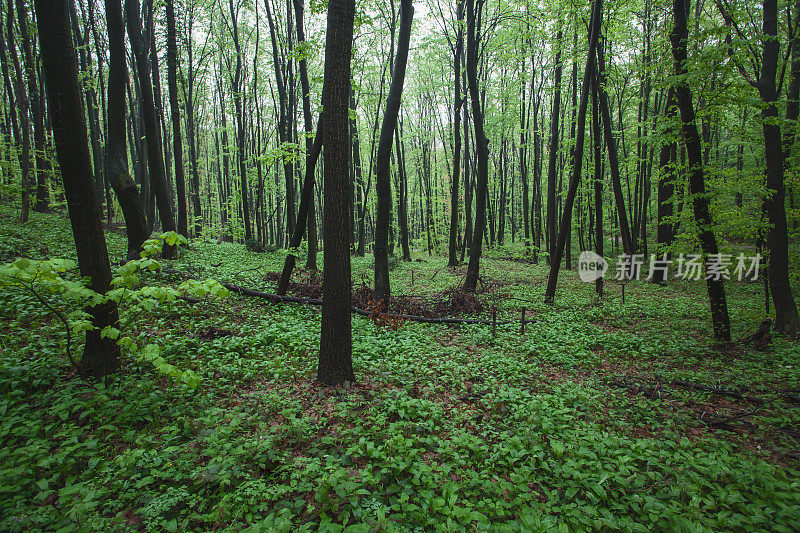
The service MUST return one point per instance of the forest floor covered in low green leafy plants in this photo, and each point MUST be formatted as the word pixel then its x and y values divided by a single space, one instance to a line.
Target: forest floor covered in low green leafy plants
pixel 602 415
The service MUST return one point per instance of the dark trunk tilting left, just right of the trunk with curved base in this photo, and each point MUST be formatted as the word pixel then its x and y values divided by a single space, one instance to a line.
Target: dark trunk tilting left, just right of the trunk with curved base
pixel 155 155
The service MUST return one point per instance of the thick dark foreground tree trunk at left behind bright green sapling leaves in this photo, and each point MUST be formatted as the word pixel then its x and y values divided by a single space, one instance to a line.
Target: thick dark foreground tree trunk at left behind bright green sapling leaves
pixel 101 355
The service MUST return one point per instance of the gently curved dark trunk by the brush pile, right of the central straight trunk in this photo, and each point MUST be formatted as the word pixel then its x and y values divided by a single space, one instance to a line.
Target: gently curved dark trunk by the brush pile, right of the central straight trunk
pixel 383 156
